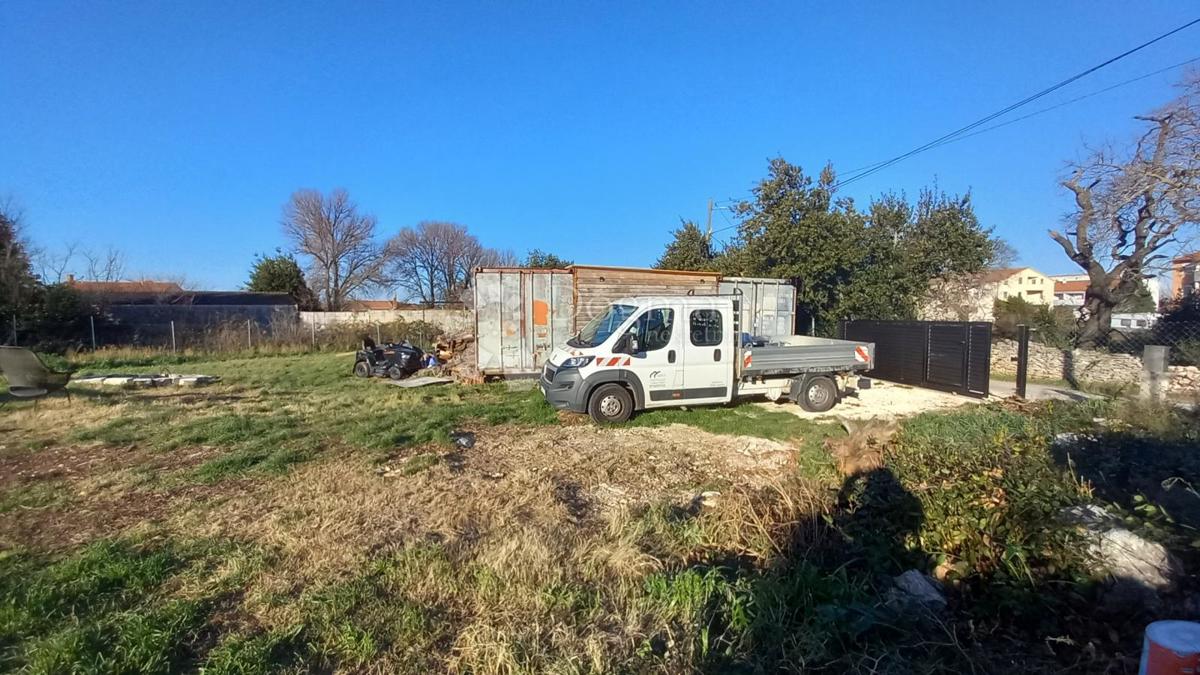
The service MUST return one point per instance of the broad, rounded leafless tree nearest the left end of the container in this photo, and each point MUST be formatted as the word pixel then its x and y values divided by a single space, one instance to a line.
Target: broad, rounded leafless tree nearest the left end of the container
pixel 434 261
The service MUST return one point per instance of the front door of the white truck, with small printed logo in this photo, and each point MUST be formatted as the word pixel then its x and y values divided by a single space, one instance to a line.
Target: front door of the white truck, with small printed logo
pixel 658 363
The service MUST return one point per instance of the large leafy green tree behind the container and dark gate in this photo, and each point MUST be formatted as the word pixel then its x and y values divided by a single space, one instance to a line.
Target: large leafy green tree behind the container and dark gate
pixel 847 264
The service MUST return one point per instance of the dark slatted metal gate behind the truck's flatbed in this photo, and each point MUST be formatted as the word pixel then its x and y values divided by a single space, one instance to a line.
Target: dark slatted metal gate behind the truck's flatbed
pixel 955 356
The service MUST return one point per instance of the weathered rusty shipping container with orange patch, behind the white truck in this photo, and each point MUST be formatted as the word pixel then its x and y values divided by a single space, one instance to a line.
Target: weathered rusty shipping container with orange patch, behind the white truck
pixel 521 315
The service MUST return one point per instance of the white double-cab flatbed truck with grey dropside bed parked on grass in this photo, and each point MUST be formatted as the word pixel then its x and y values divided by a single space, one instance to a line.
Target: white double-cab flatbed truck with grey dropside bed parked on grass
pixel 656 353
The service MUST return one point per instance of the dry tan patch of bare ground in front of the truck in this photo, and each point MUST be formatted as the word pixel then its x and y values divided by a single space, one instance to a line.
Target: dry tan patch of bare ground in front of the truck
pixel 331 517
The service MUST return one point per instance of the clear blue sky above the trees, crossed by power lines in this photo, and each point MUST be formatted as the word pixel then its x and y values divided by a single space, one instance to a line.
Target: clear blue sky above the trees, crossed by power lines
pixel 176 132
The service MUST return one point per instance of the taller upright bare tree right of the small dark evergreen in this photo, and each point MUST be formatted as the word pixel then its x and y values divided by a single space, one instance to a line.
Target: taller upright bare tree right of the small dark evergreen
pixel 344 256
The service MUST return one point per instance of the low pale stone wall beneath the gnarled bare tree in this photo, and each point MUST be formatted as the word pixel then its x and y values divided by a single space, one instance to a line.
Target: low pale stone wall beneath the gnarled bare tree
pixel 1088 366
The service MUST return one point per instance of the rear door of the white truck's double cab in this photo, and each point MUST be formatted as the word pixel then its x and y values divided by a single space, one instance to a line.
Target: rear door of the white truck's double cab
pixel 709 356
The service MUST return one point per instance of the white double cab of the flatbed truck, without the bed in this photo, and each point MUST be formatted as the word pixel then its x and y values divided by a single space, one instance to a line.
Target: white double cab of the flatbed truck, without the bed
pixel 646 353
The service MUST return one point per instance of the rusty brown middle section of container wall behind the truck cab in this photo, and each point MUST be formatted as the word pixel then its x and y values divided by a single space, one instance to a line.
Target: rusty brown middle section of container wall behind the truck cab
pixel 597 288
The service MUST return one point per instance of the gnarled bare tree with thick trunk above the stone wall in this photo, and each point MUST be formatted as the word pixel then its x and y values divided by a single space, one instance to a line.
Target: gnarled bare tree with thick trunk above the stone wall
pixel 1132 206
